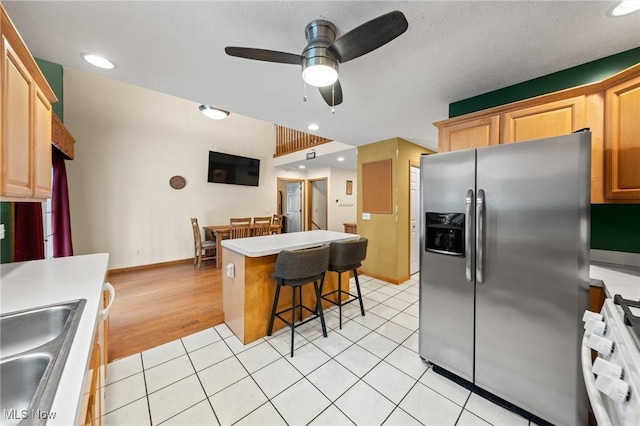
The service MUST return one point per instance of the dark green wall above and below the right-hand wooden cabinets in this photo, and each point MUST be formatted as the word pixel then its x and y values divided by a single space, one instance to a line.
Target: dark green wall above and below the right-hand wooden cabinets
pixel 614 227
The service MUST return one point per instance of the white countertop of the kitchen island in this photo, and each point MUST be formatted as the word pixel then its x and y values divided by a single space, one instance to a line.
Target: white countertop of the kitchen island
pixel 273 244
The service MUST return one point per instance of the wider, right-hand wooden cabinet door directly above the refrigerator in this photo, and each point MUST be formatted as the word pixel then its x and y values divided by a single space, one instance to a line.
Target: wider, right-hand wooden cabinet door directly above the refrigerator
pixel 544 121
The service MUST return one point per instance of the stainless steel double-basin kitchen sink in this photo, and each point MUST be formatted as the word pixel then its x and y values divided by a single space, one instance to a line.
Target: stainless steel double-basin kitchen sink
pixel 34 345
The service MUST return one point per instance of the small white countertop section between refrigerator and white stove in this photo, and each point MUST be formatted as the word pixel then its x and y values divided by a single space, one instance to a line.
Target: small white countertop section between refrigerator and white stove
pixel 617 279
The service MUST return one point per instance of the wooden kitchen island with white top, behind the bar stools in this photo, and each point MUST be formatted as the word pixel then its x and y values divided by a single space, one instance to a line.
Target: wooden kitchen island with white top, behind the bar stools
pixel 248 291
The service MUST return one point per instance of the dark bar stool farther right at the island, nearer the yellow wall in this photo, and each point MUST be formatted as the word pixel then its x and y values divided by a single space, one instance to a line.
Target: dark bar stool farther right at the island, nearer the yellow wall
pixel 346 256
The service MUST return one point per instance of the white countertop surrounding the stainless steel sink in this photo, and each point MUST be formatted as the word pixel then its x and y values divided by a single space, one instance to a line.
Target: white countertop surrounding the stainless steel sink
pixel 36 283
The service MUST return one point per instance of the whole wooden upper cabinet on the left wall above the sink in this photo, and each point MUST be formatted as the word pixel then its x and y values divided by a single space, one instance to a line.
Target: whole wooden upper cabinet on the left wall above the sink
pixel 25 136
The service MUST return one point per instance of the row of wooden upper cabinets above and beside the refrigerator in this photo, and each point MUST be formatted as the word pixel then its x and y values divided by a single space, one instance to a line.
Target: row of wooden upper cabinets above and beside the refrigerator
pixel 610 108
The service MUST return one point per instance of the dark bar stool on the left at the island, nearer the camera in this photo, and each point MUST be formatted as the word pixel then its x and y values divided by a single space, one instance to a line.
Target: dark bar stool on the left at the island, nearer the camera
pixel 295 268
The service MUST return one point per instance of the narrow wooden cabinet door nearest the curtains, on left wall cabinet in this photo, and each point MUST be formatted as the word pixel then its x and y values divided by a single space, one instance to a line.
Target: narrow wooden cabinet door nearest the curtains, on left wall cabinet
pixel 42 146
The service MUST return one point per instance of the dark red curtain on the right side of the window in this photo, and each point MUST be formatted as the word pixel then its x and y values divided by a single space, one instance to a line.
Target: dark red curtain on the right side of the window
pixel 60 215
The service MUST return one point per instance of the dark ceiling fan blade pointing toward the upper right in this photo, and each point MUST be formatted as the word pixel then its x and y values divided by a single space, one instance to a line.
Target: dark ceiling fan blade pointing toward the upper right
pixel 369 36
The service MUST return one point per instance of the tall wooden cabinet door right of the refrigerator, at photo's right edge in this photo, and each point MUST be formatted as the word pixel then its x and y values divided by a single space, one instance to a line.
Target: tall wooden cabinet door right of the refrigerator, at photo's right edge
pixel 622 141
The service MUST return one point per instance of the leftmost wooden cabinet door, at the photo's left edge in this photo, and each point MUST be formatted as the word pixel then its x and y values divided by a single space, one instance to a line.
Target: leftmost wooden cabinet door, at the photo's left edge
pixel 17 172
